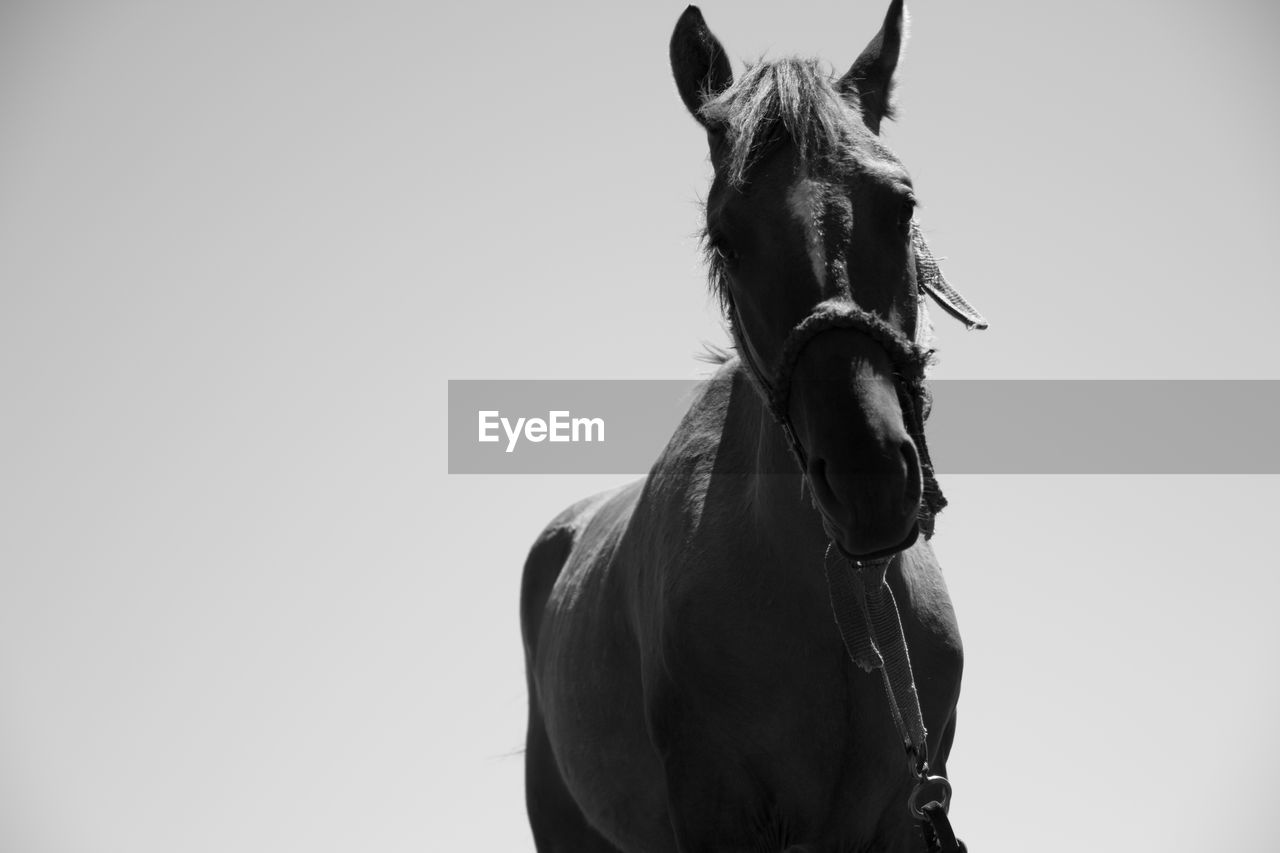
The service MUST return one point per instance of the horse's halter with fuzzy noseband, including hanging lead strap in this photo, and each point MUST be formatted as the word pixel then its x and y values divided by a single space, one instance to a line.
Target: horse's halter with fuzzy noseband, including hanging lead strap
pixel 862 600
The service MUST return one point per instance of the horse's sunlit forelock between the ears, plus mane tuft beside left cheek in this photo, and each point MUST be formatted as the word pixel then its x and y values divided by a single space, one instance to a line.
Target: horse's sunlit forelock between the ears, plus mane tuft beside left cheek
pixel 787 99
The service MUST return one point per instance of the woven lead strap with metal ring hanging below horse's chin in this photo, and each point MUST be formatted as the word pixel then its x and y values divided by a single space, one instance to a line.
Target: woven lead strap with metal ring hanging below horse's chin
pixel 870 624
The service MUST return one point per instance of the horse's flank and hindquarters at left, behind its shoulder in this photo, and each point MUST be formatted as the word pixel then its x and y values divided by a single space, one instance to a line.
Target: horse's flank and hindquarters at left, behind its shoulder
pixel 586 700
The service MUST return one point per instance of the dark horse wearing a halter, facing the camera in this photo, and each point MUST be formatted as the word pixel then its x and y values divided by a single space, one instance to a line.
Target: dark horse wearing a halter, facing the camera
pixel 688 686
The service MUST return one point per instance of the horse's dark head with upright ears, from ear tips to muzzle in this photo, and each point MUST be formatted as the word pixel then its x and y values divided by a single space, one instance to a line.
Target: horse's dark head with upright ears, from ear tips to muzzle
pixel 813 253
